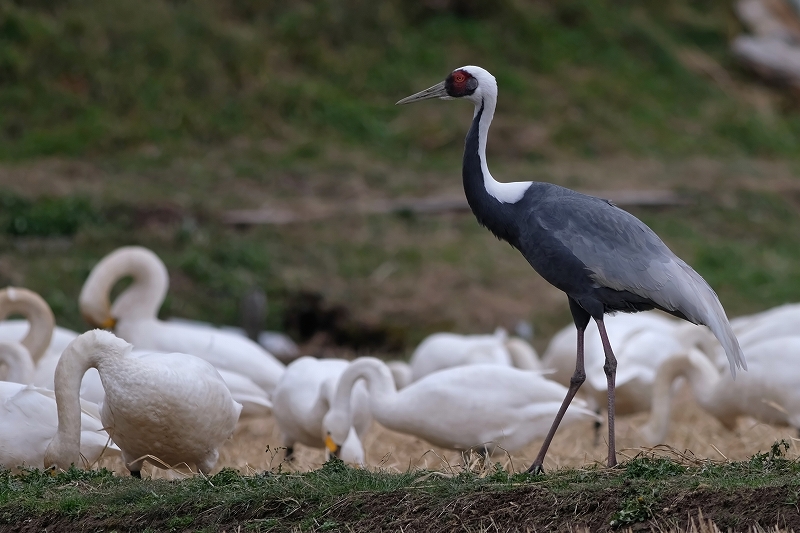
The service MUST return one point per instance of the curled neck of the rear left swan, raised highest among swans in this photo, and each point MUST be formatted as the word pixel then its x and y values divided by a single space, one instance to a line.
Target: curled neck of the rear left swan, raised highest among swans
pixel 142 299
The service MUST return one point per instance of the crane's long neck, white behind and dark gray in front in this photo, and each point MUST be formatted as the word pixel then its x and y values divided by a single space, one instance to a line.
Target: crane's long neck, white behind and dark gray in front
pixel 489 199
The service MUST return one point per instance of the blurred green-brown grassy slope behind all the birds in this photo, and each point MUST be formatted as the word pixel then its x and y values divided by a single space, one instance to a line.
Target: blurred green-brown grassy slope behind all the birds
pixel 142 121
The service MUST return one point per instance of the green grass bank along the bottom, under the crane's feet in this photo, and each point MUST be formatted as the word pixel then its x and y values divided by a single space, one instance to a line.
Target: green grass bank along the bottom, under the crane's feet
pixel 649 489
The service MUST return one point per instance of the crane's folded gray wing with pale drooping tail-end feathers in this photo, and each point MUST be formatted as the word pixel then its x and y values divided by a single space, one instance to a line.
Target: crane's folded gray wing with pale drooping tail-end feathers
pixel 622 253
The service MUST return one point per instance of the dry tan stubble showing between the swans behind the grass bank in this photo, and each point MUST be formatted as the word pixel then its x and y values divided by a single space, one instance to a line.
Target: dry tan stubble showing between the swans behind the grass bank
pixel 693 434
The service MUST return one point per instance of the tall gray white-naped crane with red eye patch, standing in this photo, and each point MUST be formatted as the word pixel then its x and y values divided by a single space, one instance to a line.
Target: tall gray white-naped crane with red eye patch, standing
pixel 604 259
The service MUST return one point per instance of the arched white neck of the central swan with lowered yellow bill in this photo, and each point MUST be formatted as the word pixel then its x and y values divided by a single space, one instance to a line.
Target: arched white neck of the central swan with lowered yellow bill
pixel 380 383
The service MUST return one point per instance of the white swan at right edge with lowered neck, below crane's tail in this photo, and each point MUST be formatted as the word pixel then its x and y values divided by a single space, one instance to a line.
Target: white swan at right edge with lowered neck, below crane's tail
pixel 769 391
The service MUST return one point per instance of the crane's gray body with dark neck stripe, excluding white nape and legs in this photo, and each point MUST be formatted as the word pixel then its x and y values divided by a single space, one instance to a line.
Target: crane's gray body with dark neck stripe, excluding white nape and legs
pixel 602 257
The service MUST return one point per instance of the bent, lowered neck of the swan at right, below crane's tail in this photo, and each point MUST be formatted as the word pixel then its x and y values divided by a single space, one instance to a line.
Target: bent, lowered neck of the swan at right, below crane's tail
pixel 702 377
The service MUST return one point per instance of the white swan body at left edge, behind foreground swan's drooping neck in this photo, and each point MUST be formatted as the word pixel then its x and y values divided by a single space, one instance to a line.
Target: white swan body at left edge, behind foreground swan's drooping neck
pixel 28 422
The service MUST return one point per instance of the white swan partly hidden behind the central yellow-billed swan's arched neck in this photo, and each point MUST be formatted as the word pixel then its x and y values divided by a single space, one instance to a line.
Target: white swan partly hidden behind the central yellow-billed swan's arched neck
pixel 303 397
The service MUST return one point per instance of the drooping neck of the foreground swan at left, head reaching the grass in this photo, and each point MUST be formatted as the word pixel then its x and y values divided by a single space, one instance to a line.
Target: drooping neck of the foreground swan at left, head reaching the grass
pixel 64 449
